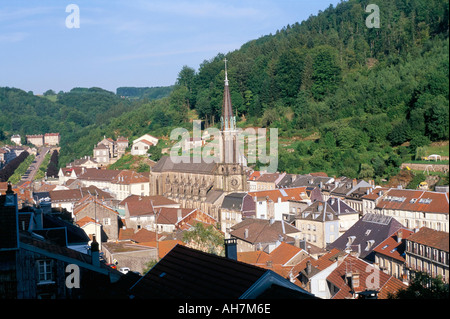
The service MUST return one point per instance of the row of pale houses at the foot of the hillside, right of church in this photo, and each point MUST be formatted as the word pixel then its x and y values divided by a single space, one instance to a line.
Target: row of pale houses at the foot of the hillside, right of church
pixel 413 208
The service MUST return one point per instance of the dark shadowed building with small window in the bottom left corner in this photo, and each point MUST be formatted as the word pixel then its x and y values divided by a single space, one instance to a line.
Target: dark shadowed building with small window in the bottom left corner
pixel 34 259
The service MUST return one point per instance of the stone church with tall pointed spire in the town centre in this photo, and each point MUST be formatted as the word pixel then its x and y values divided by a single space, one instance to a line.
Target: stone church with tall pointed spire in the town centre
pixel 203 185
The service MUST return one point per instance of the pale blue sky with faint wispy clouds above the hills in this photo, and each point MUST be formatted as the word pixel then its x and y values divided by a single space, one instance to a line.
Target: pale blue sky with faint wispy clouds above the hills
pixel 139 43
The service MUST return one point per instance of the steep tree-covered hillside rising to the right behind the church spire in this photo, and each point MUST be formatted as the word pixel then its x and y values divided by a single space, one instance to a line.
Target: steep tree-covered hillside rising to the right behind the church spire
pixel 363 91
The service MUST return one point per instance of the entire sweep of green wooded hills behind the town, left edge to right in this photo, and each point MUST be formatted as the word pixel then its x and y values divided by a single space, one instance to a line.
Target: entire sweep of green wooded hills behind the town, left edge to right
pixel 347 99
